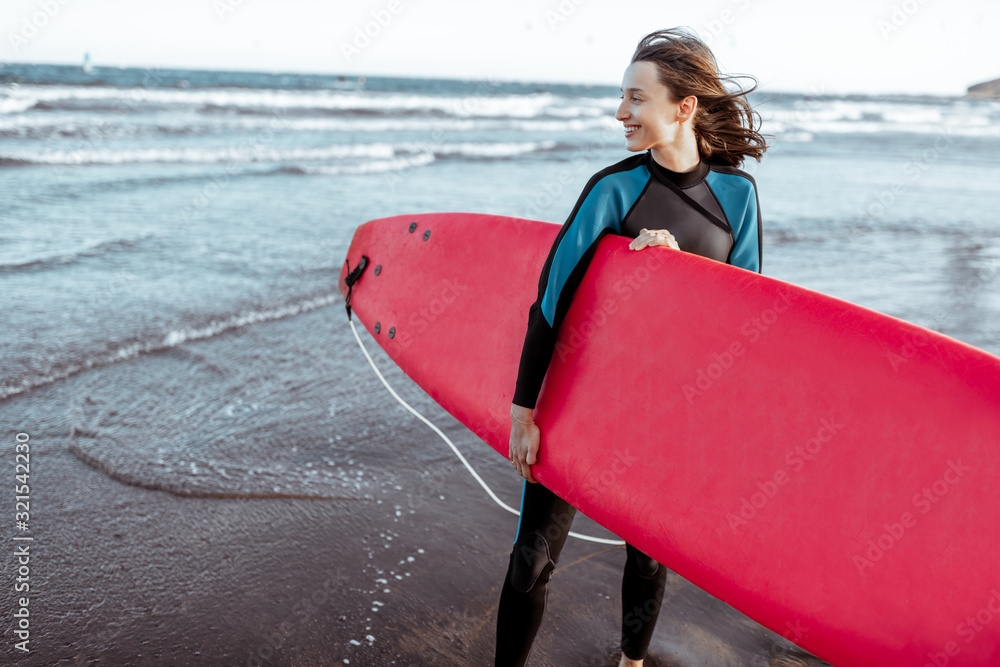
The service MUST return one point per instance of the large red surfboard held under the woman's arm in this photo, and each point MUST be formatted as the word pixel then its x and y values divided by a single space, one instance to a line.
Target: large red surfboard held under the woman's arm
pixel 828 470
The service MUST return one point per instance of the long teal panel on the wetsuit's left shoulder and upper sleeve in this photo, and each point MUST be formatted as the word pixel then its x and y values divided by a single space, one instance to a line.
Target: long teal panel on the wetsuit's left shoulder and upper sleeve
pixel 604 208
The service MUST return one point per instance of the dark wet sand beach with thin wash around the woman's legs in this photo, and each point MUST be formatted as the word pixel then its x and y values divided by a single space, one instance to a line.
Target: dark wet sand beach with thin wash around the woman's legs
pixel 402 567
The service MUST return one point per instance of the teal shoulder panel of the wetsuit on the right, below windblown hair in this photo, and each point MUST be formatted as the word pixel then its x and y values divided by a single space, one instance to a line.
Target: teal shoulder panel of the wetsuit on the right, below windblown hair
pixel 737 194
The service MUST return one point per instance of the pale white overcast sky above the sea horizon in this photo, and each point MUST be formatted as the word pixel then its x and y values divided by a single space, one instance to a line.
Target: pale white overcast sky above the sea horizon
pixel 870 46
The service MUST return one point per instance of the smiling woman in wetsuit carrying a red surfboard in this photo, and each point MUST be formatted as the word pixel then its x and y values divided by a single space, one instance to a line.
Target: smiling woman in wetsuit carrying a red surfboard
pixel 684 192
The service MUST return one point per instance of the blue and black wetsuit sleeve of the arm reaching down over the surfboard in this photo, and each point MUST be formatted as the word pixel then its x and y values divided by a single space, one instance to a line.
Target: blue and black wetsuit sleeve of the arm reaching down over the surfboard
pixel 597 212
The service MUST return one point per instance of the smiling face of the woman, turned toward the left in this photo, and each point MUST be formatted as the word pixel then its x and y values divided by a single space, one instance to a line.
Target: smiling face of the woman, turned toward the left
pixel 651 120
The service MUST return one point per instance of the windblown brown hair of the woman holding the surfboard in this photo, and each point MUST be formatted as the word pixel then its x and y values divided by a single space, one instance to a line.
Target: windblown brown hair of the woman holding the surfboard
pixel 724 121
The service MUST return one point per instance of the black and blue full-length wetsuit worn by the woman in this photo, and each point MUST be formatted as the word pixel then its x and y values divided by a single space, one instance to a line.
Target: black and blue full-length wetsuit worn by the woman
pixel 712 211
